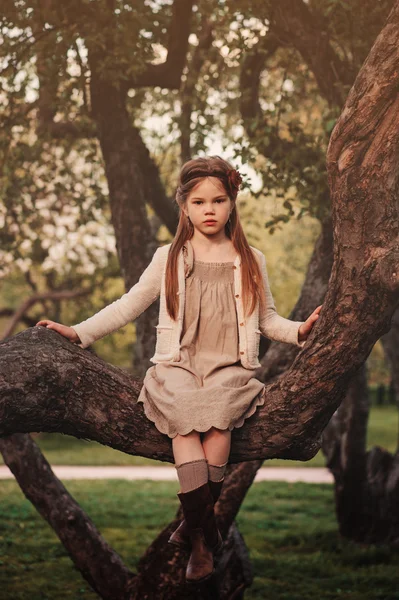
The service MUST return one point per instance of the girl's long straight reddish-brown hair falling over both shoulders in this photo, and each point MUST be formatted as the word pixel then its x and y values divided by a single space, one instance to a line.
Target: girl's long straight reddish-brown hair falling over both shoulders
pixel 192 172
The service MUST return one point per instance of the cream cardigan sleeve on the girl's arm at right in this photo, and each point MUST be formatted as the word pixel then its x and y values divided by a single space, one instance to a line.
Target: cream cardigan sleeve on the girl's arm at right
pixel 271 324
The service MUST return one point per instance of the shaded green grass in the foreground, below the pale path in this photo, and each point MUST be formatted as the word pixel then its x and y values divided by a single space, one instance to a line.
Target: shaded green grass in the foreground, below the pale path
pixel 290 529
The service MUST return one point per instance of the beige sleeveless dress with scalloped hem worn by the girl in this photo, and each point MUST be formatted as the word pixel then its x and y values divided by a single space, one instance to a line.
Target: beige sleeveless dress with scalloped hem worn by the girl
pixel 208 386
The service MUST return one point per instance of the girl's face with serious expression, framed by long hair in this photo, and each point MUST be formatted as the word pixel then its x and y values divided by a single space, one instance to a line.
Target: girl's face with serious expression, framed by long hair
pixel 208 201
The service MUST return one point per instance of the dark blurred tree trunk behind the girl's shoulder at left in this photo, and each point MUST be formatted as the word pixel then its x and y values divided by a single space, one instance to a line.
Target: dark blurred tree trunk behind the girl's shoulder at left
pixel 134 241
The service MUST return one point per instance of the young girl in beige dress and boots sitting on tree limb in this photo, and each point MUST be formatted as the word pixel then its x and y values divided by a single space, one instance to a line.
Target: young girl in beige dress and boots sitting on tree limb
pixel 215 301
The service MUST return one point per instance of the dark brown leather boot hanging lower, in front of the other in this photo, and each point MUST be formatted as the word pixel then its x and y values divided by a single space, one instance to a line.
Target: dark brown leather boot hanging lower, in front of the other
pixel 204 534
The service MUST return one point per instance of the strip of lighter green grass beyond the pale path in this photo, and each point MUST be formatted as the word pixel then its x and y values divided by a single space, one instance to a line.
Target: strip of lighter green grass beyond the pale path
pixel 60 449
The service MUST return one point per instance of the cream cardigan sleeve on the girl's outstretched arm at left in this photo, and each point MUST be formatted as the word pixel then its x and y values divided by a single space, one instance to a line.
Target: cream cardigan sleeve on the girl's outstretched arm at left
pixel 127 308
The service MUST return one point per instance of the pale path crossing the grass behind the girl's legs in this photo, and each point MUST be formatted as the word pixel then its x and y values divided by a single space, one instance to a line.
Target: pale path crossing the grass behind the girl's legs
pixel 306 474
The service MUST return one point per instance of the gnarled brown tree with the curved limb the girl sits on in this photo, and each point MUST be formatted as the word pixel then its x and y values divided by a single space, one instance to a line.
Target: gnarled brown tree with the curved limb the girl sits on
pixel 303 399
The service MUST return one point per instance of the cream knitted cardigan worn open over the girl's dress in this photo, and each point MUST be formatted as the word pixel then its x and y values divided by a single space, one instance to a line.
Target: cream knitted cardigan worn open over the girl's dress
pixel 151 285
